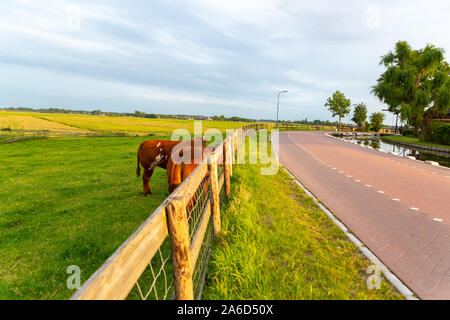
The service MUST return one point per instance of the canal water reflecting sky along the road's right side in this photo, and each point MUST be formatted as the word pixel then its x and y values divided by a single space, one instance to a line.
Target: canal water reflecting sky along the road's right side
pixel 377 143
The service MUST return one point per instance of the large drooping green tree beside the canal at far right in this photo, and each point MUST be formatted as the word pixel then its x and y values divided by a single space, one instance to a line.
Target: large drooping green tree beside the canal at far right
pixel 415 85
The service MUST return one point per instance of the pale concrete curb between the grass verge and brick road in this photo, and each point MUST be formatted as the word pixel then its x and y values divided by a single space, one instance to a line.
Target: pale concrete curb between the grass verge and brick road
pixel 390 276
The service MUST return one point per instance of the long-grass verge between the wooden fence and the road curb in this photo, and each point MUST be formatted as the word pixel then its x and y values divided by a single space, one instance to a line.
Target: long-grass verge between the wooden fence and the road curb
pixel 277 244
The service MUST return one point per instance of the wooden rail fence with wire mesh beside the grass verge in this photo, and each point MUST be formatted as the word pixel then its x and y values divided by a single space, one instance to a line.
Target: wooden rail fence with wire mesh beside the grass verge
pixel 172 246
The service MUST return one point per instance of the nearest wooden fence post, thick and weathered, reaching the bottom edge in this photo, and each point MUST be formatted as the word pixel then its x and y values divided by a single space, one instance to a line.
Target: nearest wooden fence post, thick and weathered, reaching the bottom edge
pixel 181 253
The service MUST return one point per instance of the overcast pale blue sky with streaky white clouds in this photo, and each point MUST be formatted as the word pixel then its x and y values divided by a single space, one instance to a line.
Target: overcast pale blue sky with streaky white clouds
pixel 208 57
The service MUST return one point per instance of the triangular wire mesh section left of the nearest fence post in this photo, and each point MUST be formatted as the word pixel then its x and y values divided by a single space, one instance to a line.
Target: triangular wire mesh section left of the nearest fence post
pixel 156 282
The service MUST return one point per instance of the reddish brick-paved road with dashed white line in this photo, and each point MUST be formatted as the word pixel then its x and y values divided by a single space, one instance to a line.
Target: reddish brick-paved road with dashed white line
pixel 399 208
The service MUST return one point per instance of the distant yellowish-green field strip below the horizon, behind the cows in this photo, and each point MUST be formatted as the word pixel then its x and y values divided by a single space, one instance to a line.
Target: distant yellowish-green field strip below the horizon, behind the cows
pixel 103 124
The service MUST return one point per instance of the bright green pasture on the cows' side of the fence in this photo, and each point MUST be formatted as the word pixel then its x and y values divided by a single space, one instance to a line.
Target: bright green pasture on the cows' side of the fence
pixel 67 202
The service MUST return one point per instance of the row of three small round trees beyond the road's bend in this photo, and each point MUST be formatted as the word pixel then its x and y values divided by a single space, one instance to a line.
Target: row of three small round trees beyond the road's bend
pixel 340 106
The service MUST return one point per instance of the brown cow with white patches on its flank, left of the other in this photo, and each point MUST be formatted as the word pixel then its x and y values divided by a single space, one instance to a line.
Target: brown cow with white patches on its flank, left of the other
pixel 152 154
